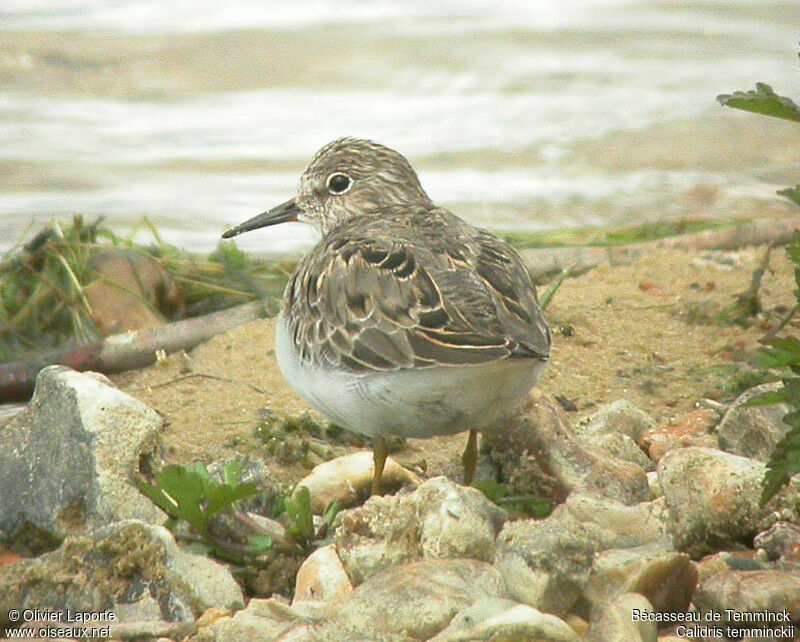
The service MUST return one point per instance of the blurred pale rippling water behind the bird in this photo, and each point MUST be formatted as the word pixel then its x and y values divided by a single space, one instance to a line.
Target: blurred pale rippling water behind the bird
pixel 526 115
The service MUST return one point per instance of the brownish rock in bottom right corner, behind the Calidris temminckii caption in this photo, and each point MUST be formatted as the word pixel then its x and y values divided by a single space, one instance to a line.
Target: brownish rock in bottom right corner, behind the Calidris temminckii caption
pixel 745 592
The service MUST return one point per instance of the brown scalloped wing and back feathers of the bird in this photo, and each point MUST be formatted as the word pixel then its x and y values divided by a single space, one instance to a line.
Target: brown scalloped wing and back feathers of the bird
pixel 373 302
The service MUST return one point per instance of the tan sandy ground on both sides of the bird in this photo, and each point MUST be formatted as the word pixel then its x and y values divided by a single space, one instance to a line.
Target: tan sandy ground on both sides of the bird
pixel 637 332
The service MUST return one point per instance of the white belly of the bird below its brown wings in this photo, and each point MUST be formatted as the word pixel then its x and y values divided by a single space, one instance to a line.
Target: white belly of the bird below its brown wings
pixel 410 403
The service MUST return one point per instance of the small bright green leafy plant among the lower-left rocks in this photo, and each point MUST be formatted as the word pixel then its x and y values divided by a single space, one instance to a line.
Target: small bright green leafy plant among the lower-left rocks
pixel 190 494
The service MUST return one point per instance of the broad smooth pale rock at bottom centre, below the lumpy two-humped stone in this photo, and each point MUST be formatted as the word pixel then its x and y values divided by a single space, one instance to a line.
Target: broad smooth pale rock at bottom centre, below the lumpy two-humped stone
pixel 413 601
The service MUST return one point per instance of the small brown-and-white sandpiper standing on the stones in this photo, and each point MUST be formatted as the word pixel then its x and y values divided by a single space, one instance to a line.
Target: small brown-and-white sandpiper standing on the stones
pixel 403 319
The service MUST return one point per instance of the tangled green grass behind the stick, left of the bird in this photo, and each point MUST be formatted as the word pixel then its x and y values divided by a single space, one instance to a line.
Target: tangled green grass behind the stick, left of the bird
pixel 43 281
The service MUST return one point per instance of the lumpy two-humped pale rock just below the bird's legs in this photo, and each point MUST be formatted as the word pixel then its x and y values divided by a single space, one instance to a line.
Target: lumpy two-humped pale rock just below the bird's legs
pixel 438 520
